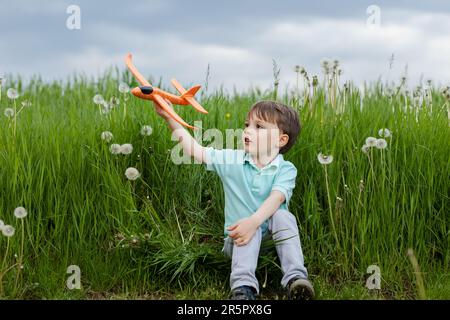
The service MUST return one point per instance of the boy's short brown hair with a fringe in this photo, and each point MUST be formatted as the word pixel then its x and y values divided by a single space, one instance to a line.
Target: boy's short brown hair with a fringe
pixel 286 118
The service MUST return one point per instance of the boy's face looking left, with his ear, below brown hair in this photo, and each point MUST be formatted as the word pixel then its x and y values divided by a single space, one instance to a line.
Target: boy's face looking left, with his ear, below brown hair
pixel 262 138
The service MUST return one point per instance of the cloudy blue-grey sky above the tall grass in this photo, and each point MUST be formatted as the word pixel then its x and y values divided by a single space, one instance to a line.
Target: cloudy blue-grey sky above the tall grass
pixel 237 39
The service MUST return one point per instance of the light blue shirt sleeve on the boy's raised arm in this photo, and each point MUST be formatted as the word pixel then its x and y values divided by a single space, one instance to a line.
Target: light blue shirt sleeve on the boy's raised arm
pixel 221 160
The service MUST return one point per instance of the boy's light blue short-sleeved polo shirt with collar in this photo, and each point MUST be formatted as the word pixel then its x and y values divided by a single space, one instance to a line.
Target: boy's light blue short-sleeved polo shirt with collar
pixel 245 185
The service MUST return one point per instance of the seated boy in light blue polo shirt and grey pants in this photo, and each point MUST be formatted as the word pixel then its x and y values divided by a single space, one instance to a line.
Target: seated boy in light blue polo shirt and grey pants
pixel 258 185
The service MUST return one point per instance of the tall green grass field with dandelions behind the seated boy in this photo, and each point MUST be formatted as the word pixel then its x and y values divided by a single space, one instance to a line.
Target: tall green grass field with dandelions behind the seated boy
pixel 160 236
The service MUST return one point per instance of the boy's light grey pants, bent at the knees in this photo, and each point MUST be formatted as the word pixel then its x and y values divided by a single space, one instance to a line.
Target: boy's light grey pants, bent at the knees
pixel 283 228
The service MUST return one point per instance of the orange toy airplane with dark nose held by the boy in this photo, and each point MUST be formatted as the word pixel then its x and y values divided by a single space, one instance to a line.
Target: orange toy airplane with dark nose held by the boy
pixel 148 92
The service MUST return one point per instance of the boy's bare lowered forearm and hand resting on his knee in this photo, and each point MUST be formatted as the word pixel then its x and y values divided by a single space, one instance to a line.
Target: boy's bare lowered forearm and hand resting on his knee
pixel 243 231
